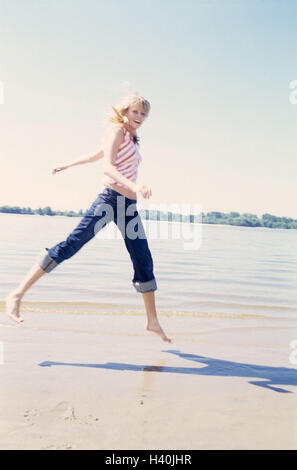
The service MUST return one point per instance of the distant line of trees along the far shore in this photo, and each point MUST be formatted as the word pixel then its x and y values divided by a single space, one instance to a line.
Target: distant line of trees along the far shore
pixel 232 218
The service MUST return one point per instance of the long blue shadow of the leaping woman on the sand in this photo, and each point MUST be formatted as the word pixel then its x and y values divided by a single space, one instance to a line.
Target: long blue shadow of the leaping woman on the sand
pixel 214 367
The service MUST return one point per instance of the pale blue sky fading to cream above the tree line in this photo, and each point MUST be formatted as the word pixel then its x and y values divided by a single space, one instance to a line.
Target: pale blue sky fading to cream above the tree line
pixel 222 129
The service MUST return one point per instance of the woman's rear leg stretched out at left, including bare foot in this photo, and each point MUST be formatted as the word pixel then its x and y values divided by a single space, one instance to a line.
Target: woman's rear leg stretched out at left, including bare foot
pixel 50 258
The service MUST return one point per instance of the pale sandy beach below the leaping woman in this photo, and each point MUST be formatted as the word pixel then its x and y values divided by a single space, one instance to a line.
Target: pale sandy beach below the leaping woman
pixel 100 381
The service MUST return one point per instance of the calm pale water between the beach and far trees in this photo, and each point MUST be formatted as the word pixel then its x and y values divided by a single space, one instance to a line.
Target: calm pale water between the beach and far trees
pixel 237 271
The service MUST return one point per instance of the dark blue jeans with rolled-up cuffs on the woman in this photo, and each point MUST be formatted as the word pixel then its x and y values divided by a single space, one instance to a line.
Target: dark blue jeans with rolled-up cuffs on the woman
pixel 108 206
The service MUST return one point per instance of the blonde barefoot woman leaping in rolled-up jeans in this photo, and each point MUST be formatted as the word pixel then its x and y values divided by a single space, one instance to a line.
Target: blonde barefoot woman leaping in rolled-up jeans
pixel 116 202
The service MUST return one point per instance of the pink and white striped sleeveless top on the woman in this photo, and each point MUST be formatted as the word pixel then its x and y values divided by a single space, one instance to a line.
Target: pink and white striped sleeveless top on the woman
pixel 127 160
